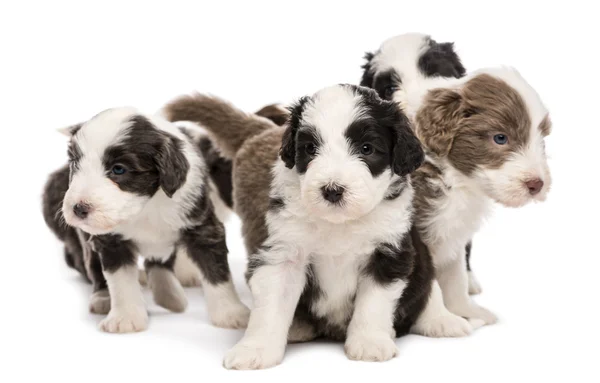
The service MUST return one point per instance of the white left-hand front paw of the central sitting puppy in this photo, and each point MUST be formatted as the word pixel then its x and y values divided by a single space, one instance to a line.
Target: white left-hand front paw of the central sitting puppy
pixel 252 356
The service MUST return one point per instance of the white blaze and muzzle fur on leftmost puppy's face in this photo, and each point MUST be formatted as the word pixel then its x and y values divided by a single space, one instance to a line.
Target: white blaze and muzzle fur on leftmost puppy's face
pixel 108 205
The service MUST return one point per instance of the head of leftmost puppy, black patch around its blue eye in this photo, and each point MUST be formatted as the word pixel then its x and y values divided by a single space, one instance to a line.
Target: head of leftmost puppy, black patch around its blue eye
pixel 118 161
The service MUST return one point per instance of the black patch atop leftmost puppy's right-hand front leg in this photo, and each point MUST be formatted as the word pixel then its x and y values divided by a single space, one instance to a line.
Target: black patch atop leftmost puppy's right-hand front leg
pixel 206 246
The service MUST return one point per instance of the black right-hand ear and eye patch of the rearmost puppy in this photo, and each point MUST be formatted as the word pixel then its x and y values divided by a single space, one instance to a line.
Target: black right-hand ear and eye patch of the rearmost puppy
pixel 441 60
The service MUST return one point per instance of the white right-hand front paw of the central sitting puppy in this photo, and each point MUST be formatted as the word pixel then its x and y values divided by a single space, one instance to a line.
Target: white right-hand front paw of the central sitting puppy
pixel 370 347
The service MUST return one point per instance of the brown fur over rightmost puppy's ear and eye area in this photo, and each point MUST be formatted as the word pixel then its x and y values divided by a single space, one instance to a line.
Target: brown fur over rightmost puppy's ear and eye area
pixel 461 123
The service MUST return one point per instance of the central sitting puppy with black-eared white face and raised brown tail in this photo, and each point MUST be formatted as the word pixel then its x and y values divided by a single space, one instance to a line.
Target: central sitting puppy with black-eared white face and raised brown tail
pixel 326 206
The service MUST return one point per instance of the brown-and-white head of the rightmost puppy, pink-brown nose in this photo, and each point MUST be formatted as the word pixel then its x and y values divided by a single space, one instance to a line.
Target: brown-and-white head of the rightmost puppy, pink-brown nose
pixel 491 128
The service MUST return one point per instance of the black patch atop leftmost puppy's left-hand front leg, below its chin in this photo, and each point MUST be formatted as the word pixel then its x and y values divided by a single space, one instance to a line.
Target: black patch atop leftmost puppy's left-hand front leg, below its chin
pixel 115 252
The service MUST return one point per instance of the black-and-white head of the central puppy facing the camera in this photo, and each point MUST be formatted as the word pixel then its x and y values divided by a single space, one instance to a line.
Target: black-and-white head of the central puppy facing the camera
pixel 348 146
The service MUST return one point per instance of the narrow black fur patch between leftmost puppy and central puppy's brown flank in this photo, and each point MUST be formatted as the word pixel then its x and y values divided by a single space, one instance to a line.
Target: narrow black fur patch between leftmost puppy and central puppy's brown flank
pixel 220 170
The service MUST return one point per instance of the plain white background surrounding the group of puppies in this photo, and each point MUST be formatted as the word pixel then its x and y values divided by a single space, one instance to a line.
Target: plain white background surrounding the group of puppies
pixel 62 63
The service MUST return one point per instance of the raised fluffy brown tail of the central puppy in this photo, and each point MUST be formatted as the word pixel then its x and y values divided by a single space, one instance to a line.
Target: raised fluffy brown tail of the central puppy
pixel 229 126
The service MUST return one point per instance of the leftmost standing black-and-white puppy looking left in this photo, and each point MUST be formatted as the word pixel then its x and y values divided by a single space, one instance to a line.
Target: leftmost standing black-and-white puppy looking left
pixel 137 186
